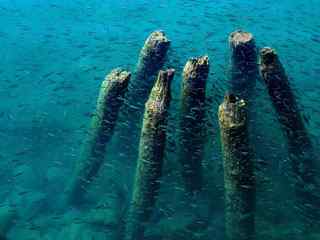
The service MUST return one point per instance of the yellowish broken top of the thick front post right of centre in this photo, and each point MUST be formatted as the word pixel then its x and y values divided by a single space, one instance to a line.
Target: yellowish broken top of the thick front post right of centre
pixel 232 112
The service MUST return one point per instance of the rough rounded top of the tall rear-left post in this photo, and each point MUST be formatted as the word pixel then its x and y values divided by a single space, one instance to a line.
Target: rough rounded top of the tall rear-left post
pixel 156 44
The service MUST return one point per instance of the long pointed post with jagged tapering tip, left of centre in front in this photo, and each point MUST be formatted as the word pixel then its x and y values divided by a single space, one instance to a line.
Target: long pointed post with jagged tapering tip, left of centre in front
pixel 150 160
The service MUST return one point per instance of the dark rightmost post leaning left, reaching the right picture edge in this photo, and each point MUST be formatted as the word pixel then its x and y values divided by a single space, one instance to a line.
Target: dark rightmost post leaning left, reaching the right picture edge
pixel 301 152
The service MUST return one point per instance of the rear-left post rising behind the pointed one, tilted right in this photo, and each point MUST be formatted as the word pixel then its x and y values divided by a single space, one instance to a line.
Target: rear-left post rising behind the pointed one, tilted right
pixel 151 59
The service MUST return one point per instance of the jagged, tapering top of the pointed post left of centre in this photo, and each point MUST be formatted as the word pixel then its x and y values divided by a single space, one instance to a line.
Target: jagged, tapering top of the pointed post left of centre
pixel 160 94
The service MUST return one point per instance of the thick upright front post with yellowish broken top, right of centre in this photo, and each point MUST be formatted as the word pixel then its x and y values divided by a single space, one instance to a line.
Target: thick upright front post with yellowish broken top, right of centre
pixel 239 178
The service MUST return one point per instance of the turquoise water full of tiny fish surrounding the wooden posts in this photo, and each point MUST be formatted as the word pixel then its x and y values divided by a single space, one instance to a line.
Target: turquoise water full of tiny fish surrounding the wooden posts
pixel 55 55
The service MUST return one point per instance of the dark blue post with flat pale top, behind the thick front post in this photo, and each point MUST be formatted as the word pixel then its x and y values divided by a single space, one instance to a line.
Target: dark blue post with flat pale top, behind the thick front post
pixel 244 66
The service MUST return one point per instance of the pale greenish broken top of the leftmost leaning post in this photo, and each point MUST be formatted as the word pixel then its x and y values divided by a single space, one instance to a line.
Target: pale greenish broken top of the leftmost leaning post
pixel 117 77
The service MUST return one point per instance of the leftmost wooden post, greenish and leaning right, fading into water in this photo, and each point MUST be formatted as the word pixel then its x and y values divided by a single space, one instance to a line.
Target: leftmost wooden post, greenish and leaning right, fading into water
pixel 110 99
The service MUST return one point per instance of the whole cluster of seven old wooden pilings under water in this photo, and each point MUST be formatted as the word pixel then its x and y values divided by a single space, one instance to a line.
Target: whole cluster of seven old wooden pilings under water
pixel 149 92
